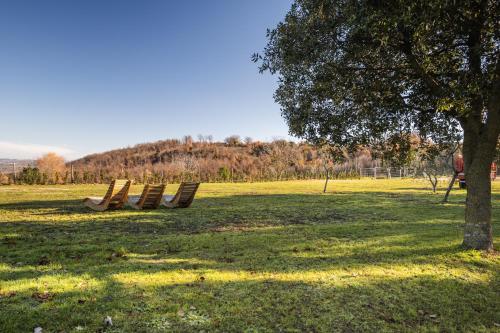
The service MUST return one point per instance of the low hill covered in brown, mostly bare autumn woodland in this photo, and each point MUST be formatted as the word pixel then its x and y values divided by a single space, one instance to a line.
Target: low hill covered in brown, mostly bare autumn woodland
pixel 233 160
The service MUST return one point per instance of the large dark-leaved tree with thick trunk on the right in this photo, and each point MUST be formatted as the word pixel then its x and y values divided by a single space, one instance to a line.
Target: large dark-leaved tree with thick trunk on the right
pixel 365 72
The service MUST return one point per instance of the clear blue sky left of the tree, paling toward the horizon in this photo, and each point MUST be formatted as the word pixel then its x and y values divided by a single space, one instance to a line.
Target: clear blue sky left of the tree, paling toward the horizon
pixel 87 76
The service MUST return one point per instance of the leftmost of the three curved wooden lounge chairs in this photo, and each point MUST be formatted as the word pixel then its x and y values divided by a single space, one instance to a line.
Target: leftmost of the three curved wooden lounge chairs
pixel 115 197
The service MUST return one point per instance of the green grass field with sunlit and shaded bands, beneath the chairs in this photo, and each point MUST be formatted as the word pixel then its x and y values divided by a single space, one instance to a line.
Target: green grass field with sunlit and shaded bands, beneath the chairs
pixel 368 256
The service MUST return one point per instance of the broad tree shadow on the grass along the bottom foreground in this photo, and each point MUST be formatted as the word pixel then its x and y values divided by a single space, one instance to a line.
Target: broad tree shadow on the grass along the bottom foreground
pixel 423 303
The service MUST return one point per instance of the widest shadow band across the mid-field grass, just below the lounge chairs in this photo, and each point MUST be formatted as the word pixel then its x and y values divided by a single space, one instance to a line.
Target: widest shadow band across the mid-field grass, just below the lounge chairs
pixel 386 230
